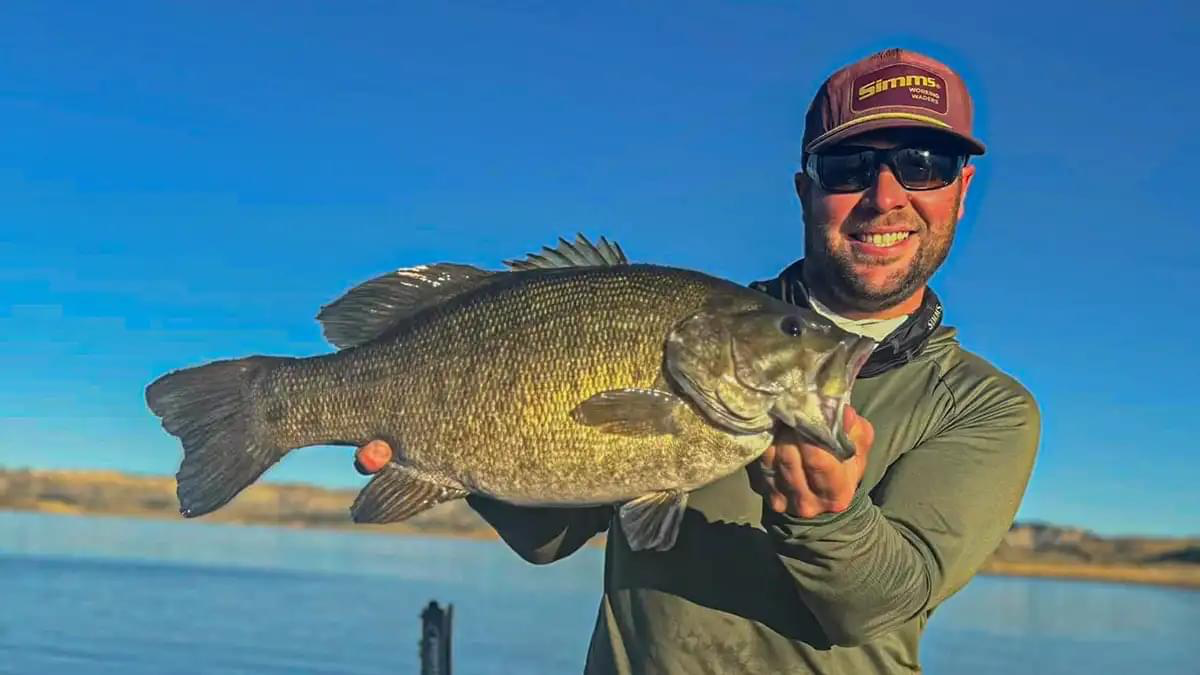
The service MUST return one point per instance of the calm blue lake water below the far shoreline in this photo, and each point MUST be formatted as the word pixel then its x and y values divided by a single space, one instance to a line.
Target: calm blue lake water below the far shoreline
pixel 107 595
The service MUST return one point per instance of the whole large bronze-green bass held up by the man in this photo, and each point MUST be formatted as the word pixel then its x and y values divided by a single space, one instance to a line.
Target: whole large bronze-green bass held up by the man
pixel 573 379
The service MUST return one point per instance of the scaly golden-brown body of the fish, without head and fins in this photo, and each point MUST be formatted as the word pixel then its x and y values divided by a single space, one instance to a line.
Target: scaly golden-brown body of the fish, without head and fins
pixel 508 365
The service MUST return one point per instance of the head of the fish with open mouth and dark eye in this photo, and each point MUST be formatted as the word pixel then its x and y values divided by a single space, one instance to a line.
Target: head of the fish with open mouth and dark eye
pixel 754 367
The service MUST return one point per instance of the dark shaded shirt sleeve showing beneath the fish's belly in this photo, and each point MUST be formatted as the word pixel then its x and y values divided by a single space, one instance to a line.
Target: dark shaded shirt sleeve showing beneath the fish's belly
pixel 542 535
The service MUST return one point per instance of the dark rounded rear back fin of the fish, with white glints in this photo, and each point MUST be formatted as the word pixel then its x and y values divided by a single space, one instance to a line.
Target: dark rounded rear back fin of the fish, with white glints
pixel 374 308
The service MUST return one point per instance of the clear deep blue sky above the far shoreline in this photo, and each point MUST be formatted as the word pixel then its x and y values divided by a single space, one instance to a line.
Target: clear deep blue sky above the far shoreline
pixel 189 182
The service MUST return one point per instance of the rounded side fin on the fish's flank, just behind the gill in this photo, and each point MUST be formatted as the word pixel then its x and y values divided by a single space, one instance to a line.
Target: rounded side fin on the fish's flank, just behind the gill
pixel 631 413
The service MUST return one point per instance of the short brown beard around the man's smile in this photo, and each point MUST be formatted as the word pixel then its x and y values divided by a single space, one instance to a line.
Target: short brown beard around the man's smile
pixel 833 274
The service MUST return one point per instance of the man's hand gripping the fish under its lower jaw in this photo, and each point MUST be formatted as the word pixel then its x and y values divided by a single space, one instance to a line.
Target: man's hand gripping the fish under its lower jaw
pixel 807 481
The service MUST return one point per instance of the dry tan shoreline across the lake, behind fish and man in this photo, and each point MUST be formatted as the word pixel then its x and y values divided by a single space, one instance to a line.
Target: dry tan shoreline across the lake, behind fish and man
pixel 1029 552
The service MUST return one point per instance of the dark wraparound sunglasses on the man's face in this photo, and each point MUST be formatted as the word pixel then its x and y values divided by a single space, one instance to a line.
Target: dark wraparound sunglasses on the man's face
pixel 916 169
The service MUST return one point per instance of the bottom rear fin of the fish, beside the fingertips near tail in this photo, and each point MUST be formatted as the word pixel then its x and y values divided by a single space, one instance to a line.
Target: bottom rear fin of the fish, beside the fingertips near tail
pixel 398 493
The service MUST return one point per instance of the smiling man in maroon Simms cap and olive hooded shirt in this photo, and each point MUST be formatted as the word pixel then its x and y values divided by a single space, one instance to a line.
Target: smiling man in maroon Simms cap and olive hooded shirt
pixel 803 564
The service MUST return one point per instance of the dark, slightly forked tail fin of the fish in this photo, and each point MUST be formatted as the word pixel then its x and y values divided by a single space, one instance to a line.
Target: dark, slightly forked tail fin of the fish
pixel 208 409
